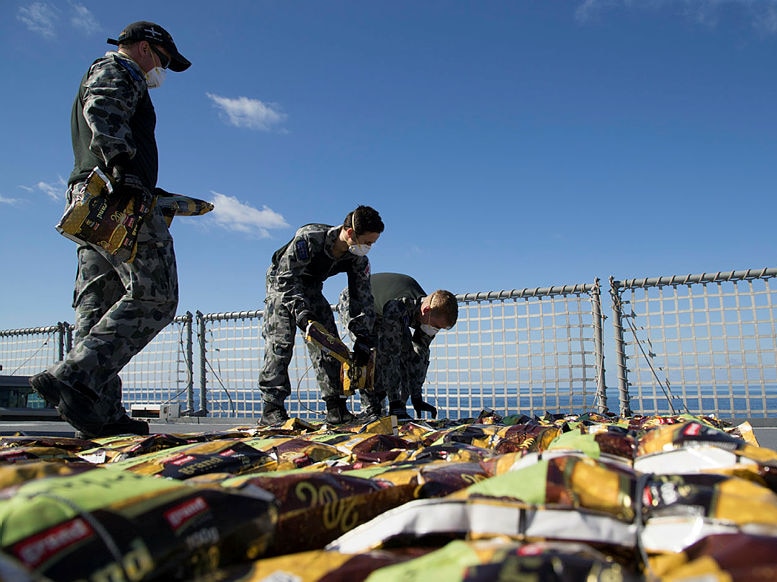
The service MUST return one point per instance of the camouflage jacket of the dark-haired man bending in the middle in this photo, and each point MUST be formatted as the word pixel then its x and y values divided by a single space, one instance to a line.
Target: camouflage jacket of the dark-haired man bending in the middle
pixel 305 262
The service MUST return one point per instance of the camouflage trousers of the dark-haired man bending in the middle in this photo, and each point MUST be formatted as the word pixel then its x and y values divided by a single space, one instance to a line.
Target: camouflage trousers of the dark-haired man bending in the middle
pixel 278 331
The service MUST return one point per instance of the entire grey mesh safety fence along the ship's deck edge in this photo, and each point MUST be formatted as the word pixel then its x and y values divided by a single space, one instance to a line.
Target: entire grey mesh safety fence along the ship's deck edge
pixel 698 343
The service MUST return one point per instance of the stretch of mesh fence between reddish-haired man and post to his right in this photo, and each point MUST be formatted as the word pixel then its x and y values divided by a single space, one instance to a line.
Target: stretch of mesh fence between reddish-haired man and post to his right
pixel 530 352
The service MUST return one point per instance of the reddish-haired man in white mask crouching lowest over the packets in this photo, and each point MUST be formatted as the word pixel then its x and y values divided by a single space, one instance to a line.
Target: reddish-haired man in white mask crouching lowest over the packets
pixel 407 321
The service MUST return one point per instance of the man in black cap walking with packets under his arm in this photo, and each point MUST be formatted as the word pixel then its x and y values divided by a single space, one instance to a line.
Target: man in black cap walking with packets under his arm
pixel 119 307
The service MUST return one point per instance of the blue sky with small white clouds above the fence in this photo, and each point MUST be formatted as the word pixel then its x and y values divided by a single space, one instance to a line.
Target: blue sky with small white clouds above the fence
pixel 507 144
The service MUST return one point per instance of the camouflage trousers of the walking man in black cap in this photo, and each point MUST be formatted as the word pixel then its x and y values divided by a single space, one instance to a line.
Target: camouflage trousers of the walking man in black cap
pixel 119 308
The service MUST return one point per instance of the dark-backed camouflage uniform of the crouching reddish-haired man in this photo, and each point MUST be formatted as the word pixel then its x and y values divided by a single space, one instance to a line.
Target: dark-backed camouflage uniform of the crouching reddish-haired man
pixel 402 358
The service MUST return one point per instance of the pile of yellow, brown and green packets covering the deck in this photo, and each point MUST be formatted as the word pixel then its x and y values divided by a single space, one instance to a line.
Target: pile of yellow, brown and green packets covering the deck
pixel 562 497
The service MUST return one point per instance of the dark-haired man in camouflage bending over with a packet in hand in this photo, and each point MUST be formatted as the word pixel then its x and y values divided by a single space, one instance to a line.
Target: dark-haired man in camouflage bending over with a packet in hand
pixel 295 281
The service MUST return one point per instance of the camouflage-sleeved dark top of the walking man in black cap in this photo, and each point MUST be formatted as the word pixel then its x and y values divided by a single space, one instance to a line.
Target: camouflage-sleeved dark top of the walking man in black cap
pixel 113 114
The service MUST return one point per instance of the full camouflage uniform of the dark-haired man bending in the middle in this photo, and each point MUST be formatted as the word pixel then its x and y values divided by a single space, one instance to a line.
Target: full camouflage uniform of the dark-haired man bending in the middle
pixel 295 282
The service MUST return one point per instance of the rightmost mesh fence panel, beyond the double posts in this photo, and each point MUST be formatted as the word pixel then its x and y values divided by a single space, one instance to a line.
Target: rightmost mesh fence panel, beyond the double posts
pixel 699 343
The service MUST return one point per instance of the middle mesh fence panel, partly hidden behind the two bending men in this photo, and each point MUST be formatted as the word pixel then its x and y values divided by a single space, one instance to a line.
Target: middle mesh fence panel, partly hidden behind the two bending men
pixel 525 351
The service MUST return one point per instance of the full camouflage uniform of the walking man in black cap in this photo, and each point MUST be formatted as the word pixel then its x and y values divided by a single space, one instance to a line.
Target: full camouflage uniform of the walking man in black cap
pixel 119 307
